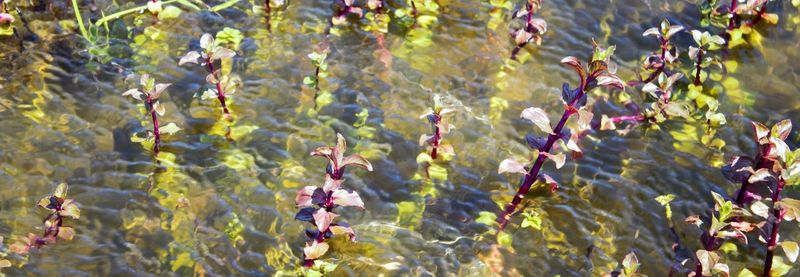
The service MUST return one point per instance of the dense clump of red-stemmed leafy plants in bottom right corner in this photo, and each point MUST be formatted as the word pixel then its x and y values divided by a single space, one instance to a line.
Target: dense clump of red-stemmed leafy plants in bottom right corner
pixel 763 179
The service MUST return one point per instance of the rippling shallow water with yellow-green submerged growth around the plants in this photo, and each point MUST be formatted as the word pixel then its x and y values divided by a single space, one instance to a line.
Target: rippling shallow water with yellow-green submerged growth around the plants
pixel 67 122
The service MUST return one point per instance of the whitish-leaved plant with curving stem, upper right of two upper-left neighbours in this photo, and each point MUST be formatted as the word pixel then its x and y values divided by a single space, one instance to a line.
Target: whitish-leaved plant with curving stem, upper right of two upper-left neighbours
pixel 225 84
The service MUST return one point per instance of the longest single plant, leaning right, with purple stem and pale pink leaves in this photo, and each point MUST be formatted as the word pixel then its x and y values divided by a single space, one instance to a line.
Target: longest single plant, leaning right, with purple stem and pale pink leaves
pixel 598 73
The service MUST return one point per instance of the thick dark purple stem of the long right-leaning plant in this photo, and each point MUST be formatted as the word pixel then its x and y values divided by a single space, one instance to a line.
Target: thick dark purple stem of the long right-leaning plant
pixel 533 173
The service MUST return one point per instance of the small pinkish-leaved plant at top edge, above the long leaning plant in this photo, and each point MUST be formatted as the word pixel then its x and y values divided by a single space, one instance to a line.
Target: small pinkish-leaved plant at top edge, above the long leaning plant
pixel 533 28
